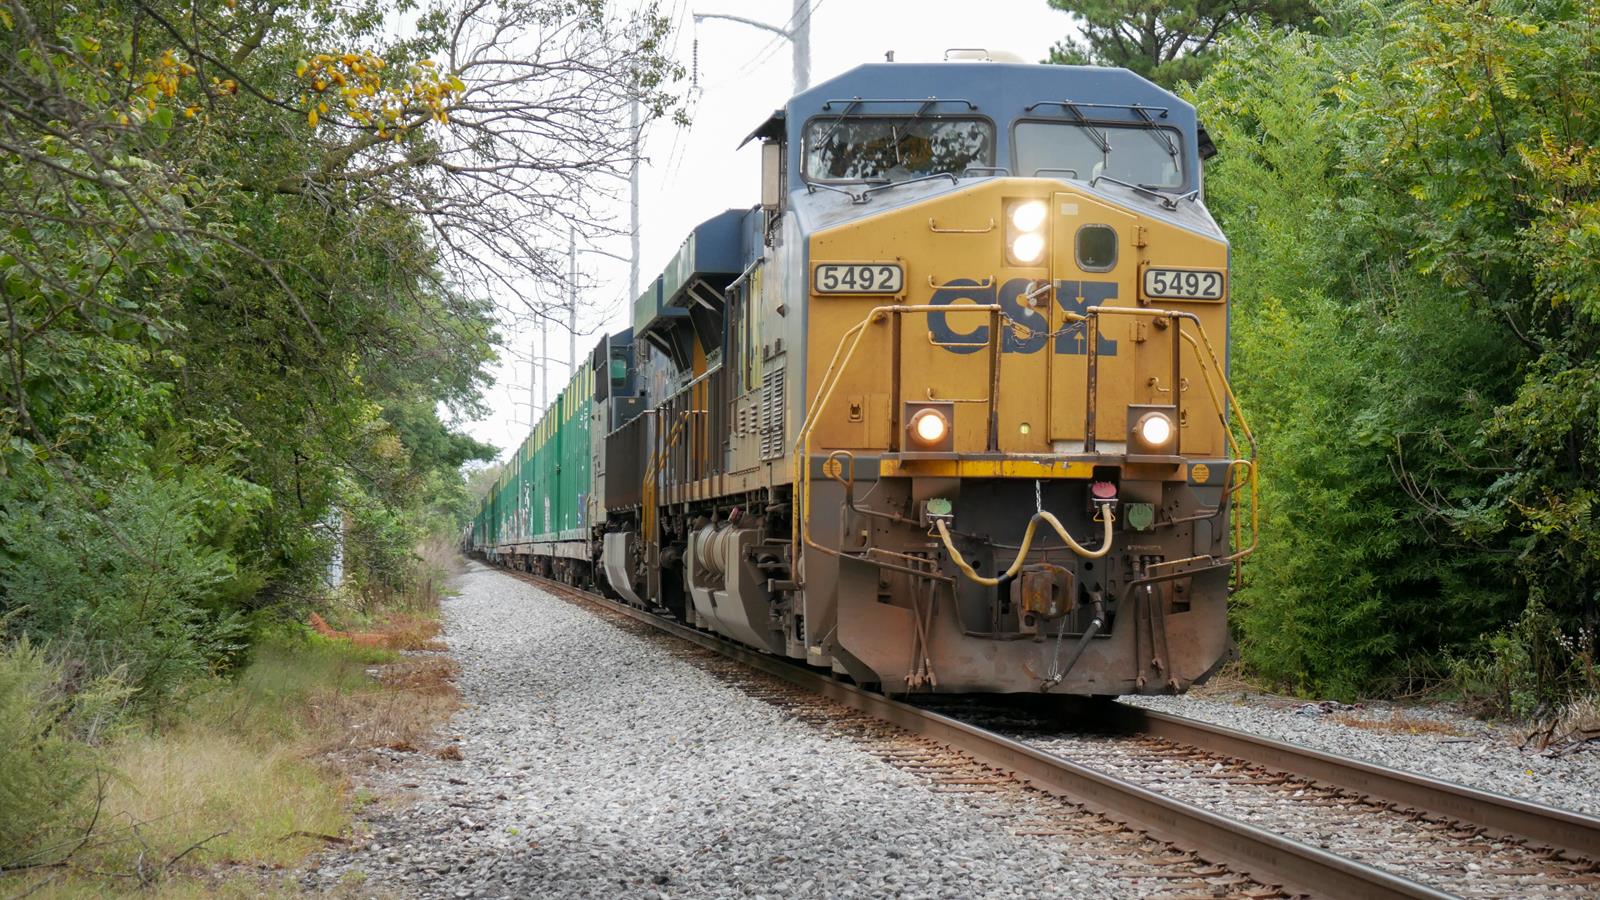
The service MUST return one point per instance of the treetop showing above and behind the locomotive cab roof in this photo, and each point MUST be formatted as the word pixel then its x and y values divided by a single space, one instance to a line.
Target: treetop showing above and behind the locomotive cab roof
pixel 1166 42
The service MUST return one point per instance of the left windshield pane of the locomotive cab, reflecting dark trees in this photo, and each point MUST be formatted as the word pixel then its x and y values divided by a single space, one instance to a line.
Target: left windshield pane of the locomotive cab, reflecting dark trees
pixel 895 150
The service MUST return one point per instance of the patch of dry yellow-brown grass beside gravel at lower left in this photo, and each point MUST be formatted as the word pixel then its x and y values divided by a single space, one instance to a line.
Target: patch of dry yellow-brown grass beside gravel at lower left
pixel 258 771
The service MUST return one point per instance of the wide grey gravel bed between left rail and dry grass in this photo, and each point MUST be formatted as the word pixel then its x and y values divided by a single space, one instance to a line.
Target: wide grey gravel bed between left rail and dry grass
pixel 594 763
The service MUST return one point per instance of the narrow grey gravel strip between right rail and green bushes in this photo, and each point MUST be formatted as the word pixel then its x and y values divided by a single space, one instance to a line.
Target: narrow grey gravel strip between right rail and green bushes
pixel 1428 741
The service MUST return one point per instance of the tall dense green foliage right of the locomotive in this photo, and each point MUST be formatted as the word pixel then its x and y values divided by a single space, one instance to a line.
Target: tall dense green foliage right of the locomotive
pixel 1417 334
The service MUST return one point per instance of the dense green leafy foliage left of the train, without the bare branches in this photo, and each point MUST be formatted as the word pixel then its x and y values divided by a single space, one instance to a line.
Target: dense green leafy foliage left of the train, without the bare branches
pixel 223 327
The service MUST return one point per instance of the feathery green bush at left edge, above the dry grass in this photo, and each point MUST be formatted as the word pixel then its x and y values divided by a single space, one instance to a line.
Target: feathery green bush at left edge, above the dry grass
pixel 124 582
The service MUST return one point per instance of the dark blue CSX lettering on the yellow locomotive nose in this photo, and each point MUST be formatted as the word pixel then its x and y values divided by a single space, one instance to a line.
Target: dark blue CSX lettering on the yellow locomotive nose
pixel 1073 297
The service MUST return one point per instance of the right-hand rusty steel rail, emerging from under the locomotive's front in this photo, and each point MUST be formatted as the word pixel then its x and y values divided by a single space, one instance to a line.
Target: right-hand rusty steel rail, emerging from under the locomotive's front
pixel 1551 827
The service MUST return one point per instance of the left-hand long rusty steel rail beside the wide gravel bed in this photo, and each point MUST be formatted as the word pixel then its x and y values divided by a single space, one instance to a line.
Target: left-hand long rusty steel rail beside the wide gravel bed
pixel 1263 856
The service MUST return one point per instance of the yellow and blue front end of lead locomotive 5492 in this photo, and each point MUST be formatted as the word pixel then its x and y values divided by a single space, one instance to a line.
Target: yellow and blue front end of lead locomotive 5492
pixel 1017 457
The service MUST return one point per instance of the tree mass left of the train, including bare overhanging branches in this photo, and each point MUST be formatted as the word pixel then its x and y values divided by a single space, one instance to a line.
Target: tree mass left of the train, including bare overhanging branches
pixel 252 262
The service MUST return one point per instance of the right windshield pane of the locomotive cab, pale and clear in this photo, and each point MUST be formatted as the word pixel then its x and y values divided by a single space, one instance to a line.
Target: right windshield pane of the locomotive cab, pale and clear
pixel 1138 156
